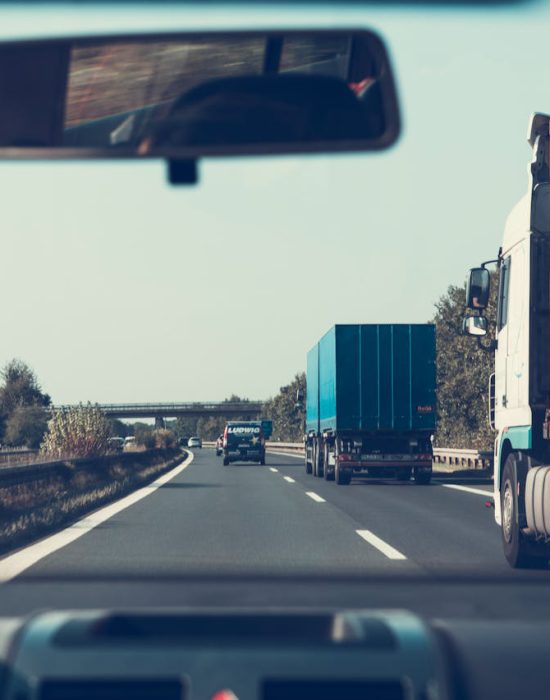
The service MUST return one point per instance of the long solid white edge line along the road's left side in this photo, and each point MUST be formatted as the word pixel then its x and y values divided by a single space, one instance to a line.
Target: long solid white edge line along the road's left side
pixel 14 564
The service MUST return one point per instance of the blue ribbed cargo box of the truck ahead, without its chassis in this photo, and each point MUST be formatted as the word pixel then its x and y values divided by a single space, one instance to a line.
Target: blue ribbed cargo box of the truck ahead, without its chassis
pixel 373 378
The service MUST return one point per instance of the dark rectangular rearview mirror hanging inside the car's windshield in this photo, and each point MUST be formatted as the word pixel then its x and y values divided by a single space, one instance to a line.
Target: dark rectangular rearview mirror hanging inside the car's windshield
pixel 184 96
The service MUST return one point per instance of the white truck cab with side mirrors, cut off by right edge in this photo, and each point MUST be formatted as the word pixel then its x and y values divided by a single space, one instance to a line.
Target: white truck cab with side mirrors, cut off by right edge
pixel 520 387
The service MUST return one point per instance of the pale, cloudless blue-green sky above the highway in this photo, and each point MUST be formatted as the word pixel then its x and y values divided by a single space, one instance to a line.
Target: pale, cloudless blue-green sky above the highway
pixel 117 287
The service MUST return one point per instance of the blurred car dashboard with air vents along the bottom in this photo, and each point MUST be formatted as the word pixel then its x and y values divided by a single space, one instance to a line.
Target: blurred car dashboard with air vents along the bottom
pixel 281 654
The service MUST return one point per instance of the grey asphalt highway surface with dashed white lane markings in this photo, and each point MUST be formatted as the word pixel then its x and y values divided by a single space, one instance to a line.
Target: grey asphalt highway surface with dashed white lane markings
pixel 245 519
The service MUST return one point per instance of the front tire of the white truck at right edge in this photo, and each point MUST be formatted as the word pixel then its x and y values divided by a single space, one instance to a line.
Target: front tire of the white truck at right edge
pixel 520 552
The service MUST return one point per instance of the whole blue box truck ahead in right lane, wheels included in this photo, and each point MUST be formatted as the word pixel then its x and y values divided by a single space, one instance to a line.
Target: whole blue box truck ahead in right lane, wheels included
pixel 371 402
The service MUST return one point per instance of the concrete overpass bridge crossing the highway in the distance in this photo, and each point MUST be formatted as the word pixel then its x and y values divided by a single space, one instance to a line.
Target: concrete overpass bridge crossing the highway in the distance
pixel 250 410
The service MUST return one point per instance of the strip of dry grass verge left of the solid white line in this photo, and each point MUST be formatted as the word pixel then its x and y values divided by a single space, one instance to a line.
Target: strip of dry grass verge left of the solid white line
pixel 31 510
